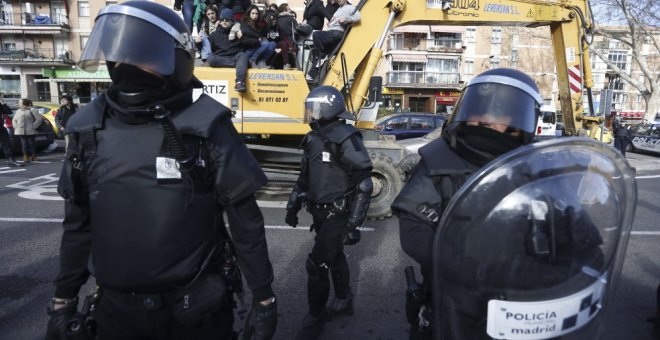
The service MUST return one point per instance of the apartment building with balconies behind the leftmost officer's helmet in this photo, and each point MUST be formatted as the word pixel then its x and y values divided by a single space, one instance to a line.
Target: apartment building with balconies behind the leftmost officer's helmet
pixel 40 43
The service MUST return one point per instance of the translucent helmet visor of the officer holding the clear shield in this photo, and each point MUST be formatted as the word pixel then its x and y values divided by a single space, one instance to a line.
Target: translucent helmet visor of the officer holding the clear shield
pixel 497 104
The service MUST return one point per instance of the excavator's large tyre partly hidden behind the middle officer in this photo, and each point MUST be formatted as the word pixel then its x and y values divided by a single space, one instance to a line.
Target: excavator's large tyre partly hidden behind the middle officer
pixel 387 178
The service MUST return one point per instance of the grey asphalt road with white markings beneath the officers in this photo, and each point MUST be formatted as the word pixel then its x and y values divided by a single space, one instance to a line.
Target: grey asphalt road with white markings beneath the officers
pixel 30 228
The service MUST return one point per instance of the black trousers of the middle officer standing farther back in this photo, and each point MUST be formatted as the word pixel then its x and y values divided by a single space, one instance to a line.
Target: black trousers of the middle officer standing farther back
pixel 328 252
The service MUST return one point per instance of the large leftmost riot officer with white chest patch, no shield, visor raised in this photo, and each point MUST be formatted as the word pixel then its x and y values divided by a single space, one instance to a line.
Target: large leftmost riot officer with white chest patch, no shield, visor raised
pixel 147 178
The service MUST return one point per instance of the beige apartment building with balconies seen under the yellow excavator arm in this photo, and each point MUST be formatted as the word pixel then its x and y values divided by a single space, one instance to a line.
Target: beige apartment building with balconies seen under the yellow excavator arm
pixel 426 66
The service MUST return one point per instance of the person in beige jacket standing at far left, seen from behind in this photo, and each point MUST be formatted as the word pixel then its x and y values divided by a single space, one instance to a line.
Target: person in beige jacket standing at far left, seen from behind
pixel 25 122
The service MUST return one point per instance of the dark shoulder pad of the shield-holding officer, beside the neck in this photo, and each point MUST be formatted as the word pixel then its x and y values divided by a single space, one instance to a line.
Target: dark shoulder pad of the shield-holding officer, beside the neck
pixel 440 159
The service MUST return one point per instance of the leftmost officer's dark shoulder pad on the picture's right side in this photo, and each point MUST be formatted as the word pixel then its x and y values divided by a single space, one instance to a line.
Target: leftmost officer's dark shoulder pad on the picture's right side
pixel 200 118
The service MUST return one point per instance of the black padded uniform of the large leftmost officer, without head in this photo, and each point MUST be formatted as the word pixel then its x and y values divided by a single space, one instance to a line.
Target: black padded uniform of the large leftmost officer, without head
pixel 144 233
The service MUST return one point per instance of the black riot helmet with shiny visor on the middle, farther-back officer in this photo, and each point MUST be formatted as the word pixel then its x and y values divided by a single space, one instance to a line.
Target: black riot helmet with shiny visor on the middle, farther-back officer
pixel 326 103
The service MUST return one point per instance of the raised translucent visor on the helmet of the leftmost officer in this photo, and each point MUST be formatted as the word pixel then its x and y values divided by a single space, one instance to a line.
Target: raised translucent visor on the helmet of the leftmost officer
pixel 126 39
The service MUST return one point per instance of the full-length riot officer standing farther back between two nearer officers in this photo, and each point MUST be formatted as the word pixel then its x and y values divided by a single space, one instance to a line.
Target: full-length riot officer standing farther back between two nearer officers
pixel 335 184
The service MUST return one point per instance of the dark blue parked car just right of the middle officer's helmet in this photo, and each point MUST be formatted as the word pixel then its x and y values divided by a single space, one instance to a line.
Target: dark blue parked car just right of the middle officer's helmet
pixel 409 125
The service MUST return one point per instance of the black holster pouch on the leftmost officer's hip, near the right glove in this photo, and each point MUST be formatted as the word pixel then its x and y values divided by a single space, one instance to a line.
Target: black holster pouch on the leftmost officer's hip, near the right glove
pixel 205 296
